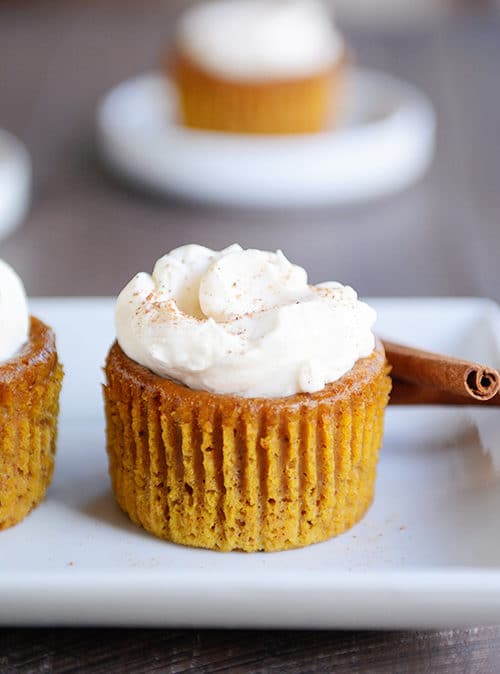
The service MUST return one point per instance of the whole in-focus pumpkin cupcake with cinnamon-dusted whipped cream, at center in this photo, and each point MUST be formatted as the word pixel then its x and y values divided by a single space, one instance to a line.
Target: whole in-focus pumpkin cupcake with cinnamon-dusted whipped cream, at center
pixel 244 407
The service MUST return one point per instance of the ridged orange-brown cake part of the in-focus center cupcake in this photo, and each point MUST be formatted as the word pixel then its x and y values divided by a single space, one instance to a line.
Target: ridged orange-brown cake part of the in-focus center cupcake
pixel 232 473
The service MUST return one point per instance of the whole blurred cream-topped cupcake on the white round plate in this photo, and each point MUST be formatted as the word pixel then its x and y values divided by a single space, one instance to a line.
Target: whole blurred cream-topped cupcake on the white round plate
pixel 258 66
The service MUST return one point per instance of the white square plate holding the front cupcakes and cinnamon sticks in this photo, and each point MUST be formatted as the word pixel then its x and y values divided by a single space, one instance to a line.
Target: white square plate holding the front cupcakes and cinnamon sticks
pixel 426 555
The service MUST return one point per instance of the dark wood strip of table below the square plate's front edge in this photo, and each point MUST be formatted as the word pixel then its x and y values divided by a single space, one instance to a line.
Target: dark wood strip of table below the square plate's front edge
pixel 474 651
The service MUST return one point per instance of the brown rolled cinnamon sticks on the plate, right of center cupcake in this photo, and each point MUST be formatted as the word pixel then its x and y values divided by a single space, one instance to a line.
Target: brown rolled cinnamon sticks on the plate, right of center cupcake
pixel 424 377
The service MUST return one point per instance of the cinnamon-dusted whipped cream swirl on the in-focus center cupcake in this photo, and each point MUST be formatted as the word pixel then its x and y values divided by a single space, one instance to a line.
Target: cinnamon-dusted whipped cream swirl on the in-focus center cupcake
pixel 241 322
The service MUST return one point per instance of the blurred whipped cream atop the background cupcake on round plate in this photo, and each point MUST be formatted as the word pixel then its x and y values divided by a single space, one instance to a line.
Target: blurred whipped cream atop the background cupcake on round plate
pixel 260 39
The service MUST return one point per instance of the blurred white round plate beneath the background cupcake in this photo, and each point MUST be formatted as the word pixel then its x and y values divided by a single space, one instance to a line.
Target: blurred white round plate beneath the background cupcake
pixel 384 143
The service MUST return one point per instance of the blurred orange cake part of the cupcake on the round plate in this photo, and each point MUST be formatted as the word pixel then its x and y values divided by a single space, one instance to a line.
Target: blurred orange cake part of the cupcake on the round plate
pixel 304 105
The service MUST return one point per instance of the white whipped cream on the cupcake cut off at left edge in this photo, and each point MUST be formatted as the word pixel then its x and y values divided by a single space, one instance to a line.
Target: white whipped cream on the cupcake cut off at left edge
pixel 14 315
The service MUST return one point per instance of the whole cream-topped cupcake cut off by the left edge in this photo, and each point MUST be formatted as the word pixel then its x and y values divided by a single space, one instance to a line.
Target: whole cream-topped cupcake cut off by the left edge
pixel 30 383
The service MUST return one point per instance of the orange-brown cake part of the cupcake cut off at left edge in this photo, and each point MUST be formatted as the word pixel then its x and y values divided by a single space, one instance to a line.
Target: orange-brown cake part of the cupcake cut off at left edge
pixel 29 404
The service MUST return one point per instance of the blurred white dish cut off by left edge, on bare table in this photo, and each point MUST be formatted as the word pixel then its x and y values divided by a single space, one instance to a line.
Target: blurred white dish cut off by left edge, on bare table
pixel 15 182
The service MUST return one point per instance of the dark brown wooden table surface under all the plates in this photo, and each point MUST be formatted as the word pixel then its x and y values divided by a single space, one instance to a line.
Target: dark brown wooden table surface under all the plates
pixel 86 234
